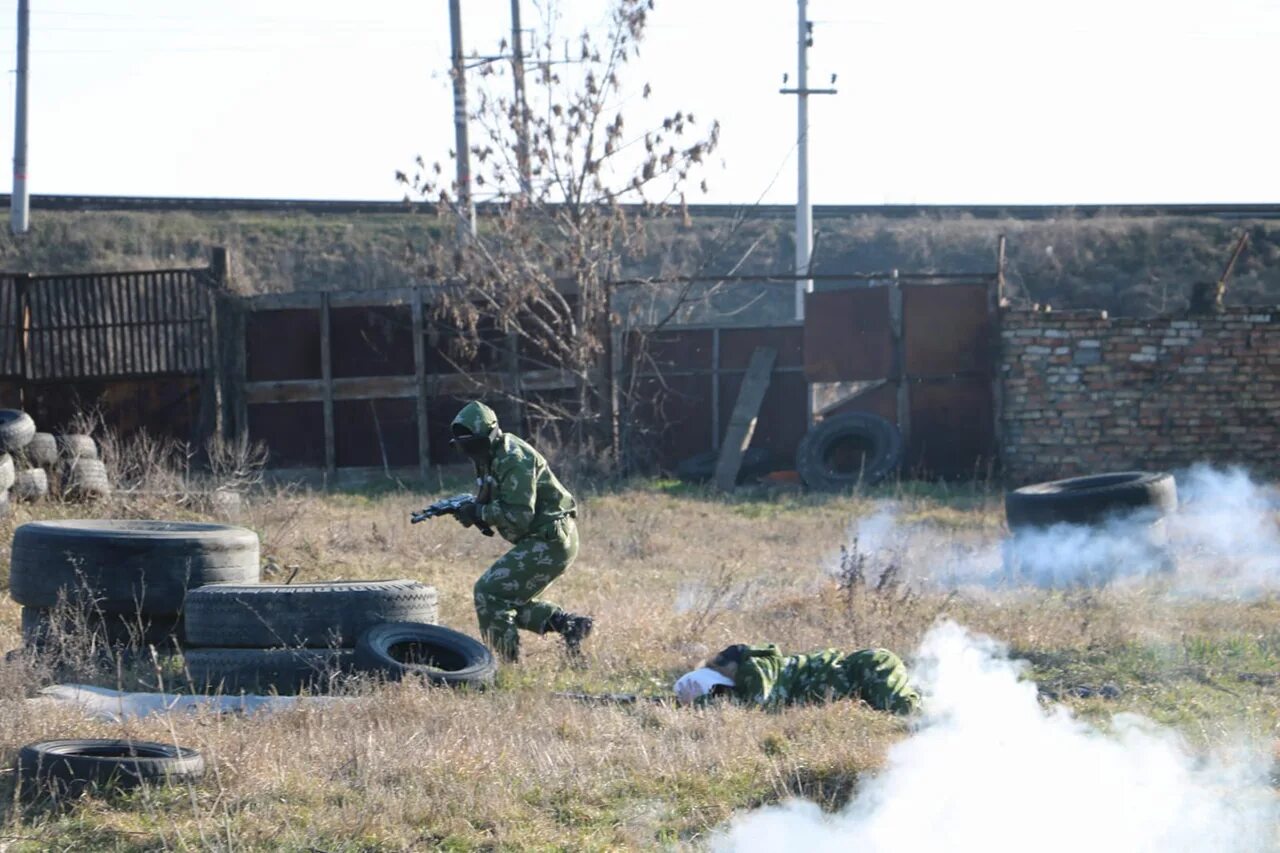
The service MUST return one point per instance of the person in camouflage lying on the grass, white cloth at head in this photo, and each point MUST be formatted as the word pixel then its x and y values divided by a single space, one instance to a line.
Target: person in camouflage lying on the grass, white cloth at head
pixel 762 676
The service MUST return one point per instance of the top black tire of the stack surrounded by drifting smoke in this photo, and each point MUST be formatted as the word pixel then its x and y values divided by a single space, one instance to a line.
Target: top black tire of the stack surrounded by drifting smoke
pixel 1090 500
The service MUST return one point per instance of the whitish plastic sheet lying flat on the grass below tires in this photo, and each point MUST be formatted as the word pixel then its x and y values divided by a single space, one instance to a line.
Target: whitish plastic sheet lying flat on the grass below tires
pixel 117 706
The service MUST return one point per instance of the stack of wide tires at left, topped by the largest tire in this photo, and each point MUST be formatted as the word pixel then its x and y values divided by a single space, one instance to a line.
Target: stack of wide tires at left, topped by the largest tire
pixel 121 581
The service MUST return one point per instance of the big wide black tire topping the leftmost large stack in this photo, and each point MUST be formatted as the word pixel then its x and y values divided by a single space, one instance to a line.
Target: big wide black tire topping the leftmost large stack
pixel 127 567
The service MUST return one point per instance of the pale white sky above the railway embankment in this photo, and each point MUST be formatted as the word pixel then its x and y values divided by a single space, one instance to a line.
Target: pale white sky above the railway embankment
pixel 941 102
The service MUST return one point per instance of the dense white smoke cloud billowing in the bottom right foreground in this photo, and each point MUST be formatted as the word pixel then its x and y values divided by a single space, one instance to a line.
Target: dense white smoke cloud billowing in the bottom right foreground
pixel 989 769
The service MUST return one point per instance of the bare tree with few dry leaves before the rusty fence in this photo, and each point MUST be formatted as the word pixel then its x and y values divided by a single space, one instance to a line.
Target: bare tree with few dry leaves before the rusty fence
pixel 532 289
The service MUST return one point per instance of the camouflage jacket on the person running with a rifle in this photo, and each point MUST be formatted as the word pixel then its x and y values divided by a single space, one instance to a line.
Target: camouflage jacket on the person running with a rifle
pixel 518 492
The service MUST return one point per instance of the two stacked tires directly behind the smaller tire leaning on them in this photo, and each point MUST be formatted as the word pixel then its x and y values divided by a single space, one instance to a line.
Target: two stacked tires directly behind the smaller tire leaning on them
pixel 285 638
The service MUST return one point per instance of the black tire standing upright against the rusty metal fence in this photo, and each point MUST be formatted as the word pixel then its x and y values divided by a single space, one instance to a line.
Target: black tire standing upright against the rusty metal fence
pixel 848 450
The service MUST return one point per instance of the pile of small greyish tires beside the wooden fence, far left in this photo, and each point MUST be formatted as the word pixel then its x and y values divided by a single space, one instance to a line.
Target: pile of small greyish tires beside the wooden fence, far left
pixel 35 463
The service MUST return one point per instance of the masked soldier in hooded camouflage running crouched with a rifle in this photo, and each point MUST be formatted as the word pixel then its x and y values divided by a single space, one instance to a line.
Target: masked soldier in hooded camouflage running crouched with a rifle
pixel 519 498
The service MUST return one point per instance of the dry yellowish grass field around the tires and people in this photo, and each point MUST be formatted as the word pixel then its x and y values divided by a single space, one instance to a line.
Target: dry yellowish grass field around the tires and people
pixel 671 574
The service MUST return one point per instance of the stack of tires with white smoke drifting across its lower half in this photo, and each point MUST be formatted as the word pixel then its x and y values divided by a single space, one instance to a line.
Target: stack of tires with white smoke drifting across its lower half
pixel 1090 530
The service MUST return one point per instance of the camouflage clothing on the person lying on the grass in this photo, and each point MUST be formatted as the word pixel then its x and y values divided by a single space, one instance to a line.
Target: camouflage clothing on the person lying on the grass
pixel 770 679
